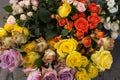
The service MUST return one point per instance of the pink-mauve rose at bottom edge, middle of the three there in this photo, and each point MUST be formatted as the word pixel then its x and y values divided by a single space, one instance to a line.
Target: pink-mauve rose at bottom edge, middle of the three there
pixel 49 74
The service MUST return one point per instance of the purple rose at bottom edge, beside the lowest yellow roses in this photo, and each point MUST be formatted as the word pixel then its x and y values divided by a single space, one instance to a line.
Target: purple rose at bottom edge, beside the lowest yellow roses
pixel 65 74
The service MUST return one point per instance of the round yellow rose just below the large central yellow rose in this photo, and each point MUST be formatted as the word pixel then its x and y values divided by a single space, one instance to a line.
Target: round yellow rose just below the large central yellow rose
pixel 74 59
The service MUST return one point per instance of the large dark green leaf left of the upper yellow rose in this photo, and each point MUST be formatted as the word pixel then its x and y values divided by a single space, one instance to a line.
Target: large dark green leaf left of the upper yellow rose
pixel 44 15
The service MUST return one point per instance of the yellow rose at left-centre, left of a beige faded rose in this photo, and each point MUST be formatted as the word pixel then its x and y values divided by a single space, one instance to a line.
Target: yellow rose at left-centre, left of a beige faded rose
pixel 29 47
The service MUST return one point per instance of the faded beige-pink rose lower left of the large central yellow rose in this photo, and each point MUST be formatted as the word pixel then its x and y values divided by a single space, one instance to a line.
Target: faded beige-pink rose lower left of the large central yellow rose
pixel 49 56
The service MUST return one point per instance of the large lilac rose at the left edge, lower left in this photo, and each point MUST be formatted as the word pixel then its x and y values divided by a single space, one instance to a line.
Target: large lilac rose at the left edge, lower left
pixel 10 59
